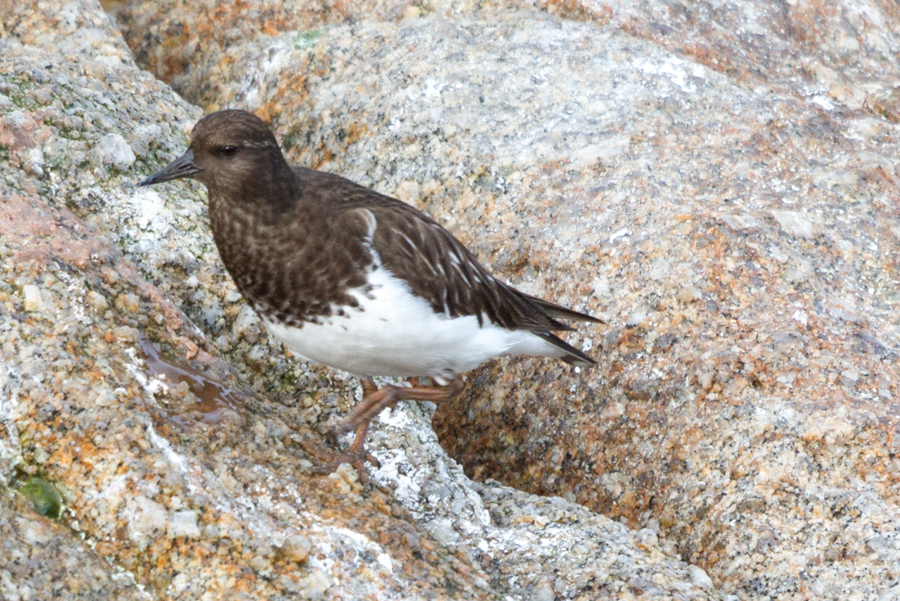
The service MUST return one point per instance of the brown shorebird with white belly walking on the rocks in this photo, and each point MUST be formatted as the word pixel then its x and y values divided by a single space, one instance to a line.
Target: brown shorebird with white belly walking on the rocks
pixel 356 280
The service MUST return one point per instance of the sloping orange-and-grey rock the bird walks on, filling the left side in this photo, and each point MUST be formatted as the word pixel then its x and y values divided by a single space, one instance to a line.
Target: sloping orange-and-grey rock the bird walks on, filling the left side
pixel 138 390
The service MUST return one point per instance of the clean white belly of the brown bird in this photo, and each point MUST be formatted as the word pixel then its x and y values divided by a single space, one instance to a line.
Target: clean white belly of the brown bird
pixel 395 333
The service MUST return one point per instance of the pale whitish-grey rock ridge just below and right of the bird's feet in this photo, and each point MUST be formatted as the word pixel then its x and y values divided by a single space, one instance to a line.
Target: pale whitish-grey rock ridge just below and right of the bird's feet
pixel 532 547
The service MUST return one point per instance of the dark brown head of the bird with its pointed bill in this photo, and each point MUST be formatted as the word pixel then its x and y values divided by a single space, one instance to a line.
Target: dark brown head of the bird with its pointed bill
pixel 232 152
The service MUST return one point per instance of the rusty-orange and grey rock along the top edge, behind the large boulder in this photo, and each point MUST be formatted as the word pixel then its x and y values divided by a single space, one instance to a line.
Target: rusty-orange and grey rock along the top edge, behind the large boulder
pixel 835 54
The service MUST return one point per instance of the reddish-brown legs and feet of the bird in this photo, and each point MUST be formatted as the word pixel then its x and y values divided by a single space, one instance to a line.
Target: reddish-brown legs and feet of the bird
pixel 374 401
